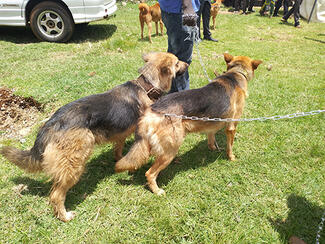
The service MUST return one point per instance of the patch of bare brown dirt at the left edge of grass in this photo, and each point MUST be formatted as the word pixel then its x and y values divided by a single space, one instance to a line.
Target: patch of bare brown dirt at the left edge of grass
pixel 17 114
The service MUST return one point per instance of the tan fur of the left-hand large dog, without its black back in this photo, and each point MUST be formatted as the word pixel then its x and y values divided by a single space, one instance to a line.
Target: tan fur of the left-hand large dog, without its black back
pixel 66 151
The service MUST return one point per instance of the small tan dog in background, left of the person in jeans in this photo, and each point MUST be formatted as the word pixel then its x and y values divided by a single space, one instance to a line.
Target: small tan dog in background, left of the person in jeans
pixel 147 15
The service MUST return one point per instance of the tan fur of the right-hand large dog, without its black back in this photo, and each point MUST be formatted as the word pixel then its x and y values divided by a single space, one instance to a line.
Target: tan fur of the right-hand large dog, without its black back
pixel 162 136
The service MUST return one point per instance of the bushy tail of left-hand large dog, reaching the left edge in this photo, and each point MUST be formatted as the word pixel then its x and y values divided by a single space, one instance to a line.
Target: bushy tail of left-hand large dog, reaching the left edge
pixel 23 159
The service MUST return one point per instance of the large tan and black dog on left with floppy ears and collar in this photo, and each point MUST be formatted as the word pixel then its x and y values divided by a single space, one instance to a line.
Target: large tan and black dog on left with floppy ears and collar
pixel 67 139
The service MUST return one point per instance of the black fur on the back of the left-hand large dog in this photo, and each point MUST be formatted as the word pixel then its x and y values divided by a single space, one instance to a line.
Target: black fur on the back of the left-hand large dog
pixel 106 114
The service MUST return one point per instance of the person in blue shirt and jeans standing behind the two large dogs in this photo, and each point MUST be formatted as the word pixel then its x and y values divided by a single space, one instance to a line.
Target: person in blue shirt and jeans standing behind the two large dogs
pixel 177 16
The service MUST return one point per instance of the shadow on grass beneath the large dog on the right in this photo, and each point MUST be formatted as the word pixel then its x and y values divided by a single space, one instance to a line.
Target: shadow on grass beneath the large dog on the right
pixel 198 156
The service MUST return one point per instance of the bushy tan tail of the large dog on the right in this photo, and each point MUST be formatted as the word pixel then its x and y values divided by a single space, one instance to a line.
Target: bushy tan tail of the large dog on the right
pixel 135 158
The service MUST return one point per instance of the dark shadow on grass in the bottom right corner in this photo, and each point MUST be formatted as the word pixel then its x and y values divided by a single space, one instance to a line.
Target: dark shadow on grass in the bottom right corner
pixel 302 221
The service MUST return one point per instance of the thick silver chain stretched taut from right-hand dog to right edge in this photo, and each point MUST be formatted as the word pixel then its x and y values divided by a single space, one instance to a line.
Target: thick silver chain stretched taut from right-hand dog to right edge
pixel 276 117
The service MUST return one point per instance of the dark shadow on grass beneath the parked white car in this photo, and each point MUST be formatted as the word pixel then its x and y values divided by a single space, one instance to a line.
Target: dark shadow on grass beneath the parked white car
pixel 89 33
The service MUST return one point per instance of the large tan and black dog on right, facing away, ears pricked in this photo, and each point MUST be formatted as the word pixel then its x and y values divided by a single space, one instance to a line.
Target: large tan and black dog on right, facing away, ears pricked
pixel 162 136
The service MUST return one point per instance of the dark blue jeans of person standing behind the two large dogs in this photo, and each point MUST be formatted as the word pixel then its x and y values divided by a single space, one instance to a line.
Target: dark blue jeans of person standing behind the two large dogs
pixel 178 46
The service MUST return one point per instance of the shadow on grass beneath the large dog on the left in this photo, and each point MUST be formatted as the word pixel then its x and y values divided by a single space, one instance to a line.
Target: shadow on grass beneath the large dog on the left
pixel 97 169
